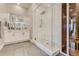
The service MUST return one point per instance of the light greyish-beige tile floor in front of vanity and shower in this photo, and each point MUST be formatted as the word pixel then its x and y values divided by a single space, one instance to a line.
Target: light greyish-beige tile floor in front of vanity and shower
pixel 21 49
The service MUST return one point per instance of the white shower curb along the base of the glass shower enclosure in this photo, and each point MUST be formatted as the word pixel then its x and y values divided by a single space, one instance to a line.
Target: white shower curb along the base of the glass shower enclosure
pixel 46 50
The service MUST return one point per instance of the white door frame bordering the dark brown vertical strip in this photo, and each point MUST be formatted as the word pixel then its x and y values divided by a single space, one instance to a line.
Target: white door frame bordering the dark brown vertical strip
pixel 66 54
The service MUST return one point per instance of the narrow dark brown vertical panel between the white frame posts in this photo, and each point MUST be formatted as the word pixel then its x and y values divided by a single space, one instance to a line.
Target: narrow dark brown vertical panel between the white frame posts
pixel 64 28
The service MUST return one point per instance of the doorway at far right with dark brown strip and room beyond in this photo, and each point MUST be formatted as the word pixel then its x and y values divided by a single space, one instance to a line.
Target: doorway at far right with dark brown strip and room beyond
pixel 72 45
